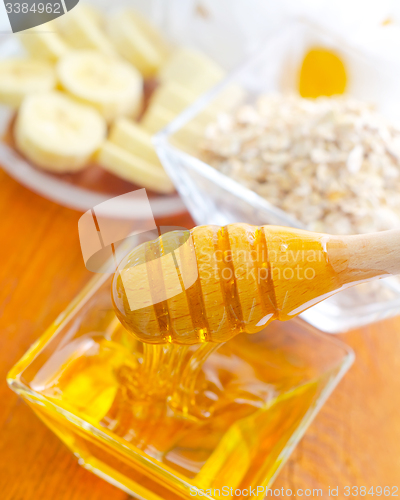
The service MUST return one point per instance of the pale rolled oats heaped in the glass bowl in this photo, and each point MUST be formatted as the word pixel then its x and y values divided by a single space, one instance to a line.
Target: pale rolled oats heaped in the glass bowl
pixel 332 163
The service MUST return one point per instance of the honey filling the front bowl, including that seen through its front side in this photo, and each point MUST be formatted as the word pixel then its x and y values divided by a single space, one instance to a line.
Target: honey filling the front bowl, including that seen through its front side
pixel 230 422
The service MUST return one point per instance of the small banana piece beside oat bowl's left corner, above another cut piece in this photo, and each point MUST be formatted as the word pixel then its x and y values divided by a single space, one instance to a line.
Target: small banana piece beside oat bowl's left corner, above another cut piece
pixel 130 136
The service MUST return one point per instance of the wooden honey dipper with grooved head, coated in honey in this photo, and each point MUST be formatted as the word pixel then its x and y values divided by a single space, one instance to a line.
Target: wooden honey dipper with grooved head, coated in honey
pixel 211 283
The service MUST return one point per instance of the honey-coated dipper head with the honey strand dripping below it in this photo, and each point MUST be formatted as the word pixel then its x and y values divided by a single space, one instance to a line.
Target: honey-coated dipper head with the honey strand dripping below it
pixel 187 292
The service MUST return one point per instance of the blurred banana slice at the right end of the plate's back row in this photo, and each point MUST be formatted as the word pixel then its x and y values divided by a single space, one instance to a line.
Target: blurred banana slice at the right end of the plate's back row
pixel 138 42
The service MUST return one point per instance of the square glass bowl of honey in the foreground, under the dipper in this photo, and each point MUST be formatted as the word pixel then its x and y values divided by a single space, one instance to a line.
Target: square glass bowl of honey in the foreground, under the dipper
pixel 78 379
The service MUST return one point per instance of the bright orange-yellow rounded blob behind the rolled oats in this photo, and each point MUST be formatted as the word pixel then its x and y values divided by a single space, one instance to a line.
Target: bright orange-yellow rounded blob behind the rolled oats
pixel 322 74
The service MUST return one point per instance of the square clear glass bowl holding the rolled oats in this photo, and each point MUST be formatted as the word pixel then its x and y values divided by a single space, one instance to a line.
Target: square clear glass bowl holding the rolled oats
pixel 214 198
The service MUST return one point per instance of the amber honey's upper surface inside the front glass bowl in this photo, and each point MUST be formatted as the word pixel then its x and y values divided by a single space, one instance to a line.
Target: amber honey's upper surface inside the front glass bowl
pixel 213 419
